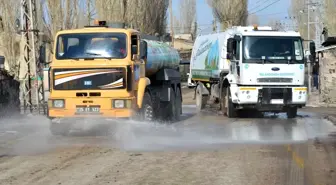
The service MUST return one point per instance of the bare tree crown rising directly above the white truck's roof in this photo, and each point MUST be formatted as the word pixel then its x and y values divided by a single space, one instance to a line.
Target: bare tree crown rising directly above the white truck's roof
pixel 229 13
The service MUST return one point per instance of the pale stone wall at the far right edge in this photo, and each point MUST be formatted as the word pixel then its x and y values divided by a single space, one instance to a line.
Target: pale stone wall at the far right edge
pixel 328 77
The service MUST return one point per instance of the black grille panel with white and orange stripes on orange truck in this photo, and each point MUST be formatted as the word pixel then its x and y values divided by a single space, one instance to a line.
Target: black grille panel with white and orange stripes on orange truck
pixel 89 79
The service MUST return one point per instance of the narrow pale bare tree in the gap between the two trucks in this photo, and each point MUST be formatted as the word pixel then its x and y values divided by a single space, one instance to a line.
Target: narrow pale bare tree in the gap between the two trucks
pixel 187 15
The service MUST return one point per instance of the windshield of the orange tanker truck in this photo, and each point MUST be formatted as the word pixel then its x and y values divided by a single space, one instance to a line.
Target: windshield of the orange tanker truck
pixel 91 46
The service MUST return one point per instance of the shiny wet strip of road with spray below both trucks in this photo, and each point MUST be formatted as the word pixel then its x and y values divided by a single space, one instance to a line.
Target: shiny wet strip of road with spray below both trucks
pixel 206 130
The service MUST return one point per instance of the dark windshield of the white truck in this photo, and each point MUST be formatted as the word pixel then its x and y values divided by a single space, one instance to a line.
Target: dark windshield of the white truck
pixel 273 49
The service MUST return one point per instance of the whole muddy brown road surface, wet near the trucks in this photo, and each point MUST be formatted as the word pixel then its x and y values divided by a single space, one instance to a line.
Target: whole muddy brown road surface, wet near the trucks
pixel 204 148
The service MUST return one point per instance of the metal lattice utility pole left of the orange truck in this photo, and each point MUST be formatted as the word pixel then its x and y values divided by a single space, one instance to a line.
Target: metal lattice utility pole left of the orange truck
pixel 31 86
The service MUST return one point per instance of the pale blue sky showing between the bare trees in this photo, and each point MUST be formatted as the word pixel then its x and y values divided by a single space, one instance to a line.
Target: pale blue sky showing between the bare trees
pixel 276 11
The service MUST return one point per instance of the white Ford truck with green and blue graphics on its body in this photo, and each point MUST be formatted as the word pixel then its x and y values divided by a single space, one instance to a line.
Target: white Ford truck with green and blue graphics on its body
pixel 250 68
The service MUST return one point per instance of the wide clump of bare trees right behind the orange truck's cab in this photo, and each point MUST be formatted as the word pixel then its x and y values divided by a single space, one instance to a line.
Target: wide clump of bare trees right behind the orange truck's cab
pixel 148 16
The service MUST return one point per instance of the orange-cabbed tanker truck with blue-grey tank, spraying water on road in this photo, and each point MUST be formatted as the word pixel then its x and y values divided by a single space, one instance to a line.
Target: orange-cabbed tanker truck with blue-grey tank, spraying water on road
pixel 111 72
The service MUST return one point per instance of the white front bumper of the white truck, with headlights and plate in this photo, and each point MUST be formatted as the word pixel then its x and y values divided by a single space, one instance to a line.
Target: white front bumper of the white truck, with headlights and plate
pixel 281 96
